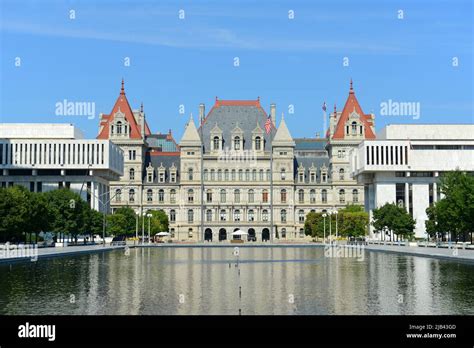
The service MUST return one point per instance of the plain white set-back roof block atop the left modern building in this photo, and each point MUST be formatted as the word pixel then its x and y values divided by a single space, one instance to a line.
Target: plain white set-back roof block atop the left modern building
pixel 39 131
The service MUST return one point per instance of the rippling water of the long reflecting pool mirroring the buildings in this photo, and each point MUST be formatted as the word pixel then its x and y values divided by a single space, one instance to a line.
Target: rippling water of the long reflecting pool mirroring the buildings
pixel 176 281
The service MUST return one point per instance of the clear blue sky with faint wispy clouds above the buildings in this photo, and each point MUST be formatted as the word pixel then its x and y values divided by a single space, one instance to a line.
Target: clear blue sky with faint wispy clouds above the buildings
pixel 187 61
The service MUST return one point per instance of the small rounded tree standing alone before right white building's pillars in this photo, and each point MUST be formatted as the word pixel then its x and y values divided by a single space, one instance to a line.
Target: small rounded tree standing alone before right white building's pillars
pixel 392 218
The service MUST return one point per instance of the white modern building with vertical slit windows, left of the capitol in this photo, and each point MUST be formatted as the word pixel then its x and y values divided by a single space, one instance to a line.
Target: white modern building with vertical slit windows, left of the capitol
pixel 44 157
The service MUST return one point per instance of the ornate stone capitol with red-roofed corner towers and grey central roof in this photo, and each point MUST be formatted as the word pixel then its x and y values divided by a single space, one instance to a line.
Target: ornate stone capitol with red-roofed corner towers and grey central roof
pixel 236 169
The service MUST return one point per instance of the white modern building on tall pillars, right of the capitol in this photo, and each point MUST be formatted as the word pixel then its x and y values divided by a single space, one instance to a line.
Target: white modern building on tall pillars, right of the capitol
pixel 405 162
